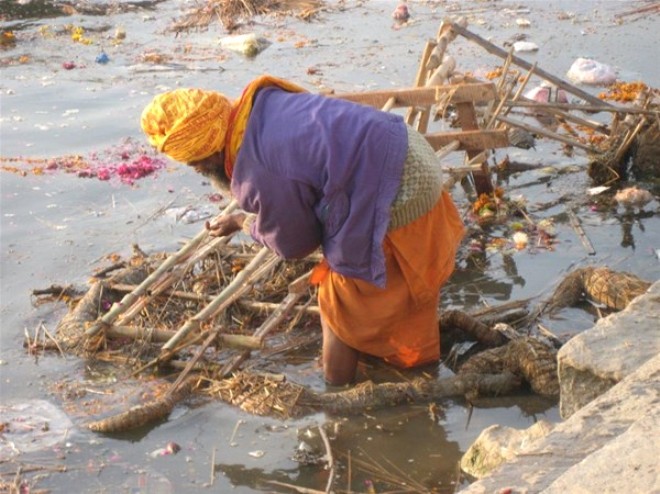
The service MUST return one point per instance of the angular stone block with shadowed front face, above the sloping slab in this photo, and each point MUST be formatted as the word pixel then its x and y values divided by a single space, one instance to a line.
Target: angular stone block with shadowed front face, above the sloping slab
pixel 595 360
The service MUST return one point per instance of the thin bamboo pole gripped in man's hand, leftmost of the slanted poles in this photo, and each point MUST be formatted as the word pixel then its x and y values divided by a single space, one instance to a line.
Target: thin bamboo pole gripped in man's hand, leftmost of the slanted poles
pixel 128 300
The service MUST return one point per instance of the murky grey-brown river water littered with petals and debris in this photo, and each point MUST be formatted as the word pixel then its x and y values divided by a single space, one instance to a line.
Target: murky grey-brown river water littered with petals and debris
pixel 57 227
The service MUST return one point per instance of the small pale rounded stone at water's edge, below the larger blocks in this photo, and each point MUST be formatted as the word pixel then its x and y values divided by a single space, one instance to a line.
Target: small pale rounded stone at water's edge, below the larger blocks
pixel 497 444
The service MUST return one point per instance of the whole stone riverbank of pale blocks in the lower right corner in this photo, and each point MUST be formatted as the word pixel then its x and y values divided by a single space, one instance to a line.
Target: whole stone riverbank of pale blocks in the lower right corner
pixel 610 438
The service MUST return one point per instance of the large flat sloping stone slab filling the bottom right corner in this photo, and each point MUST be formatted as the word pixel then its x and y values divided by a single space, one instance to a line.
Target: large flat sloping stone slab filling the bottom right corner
pixel 603 434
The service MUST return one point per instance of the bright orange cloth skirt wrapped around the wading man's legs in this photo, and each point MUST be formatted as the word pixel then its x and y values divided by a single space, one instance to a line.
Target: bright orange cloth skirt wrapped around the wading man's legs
pixel 400 322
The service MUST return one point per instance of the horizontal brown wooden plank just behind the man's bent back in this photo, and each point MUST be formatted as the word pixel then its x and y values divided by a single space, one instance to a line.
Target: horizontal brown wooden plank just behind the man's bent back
pixel 423 96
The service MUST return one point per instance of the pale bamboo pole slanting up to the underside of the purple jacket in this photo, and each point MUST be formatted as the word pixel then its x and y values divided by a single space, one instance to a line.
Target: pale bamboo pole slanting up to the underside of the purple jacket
pixel 227 296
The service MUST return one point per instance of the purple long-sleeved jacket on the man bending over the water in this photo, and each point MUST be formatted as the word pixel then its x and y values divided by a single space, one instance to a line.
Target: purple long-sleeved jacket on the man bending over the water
pixel 321 171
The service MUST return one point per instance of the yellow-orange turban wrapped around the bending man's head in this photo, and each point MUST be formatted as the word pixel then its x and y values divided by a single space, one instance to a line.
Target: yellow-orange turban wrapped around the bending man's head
pixel 187 124
